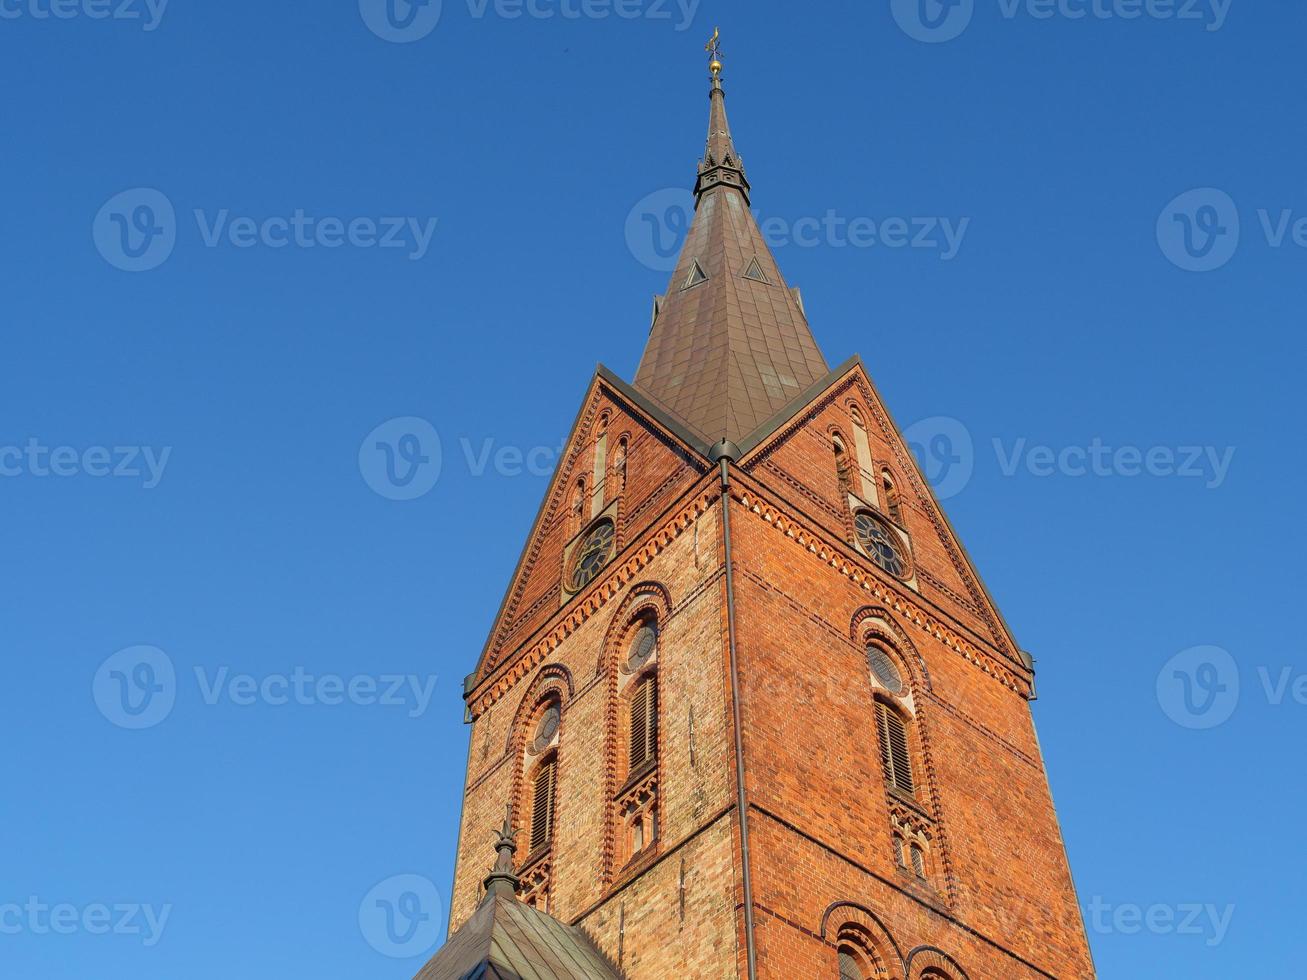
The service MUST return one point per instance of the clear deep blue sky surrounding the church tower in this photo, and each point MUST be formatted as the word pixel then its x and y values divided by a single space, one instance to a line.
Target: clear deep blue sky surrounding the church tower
pixel 1063 321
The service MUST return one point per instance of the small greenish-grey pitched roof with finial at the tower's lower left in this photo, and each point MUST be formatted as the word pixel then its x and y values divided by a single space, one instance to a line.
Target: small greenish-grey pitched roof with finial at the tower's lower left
pixel 506 940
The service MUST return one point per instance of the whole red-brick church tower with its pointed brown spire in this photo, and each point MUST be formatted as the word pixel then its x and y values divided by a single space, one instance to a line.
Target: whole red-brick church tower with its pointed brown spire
pixel 747 704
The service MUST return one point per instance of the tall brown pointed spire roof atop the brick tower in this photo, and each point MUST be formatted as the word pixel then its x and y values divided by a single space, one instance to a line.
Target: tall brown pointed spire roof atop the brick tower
pixel 730 346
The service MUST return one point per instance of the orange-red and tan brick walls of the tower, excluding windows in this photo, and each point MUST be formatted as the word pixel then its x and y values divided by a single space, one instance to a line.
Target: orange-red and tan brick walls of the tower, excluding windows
pixel 998 900
